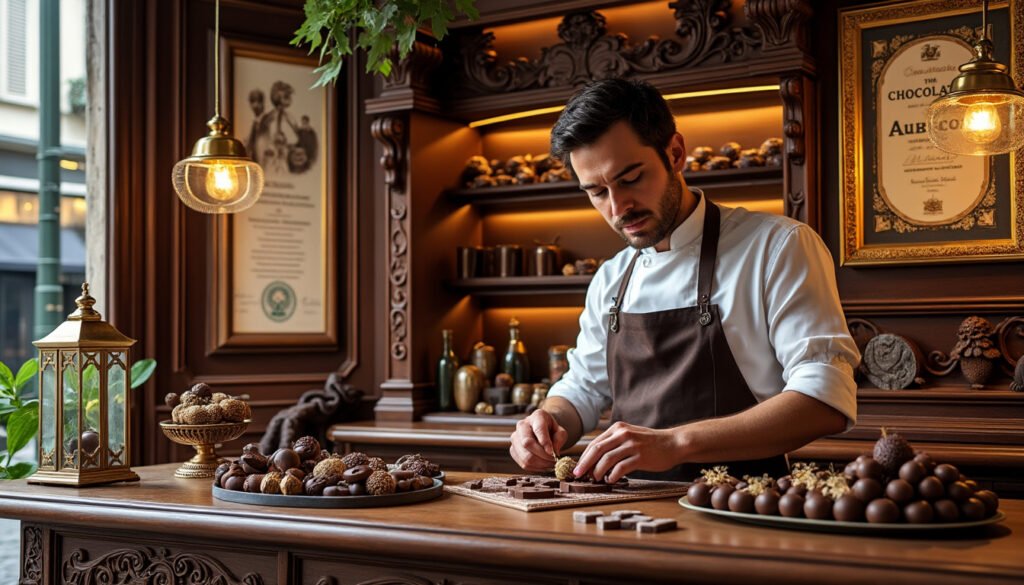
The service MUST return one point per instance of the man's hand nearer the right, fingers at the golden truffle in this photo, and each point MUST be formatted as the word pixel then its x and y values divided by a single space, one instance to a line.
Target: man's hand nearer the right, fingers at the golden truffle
pixel 625 448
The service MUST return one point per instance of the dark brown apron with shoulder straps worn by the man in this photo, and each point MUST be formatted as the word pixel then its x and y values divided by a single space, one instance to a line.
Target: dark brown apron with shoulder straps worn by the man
pixel 672 367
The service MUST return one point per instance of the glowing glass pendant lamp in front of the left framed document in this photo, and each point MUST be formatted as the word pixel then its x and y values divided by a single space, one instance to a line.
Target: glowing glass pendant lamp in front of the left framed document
pixel 220 177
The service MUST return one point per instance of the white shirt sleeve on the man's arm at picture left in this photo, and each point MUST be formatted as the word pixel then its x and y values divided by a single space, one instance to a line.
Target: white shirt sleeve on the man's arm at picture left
pixel 586 384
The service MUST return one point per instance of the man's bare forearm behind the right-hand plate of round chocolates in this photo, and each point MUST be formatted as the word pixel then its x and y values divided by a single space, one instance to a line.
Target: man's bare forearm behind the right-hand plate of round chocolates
pixel 780 425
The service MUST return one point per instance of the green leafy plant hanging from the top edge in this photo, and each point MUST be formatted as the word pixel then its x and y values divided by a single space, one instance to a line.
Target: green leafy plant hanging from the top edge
pixel 379 27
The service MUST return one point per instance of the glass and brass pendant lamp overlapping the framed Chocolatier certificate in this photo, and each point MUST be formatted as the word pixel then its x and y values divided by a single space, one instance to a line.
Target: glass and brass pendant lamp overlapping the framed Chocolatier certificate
pixel 984 113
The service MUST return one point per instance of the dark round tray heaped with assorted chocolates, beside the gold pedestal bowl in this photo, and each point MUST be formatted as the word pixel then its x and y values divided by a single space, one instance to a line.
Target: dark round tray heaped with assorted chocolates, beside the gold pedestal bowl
pixel 307 476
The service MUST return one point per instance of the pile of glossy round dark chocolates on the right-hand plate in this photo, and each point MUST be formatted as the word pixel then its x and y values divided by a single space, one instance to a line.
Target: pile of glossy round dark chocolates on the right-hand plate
pixel 892 485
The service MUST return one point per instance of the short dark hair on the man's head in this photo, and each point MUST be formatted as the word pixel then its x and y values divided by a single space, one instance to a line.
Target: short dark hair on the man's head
pixel 601 105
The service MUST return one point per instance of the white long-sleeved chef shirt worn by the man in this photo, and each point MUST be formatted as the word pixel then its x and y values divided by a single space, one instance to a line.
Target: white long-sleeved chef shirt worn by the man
pixel 776 288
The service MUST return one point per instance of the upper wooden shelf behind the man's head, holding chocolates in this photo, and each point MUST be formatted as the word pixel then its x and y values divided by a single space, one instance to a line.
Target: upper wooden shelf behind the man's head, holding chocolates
pixel 568 193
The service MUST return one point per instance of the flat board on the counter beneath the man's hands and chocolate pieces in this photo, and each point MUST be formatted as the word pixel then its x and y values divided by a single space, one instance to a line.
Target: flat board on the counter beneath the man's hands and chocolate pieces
pixel 495 491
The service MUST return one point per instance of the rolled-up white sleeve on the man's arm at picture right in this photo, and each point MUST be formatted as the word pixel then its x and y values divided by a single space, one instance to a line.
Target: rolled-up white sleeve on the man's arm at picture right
pixel 806 323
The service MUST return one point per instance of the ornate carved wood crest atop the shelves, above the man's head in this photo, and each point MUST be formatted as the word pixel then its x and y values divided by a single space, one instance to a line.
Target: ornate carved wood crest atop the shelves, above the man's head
pixel 589 53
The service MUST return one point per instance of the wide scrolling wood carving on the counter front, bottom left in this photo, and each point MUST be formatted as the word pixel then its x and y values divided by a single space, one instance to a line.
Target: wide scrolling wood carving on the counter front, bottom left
pixel 150 567
